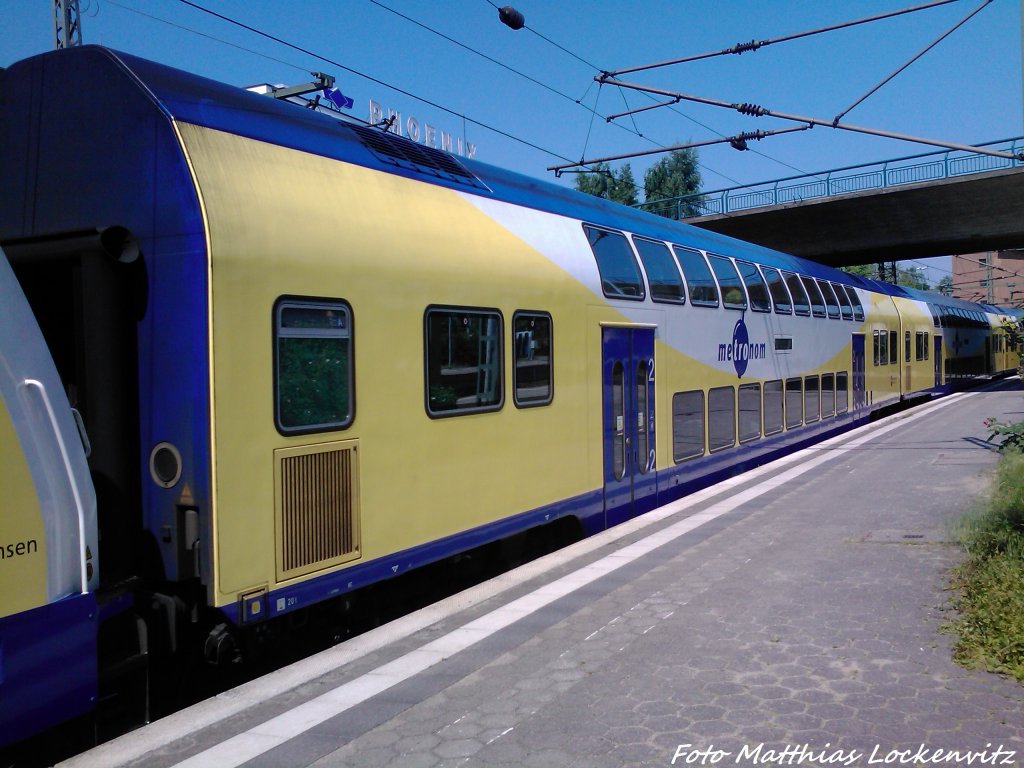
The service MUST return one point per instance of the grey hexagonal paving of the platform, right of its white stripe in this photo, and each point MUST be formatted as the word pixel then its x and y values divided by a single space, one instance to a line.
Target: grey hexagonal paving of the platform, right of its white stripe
pixel 812 622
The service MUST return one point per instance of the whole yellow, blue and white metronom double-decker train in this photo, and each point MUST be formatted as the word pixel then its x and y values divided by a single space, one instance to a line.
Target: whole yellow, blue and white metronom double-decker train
pixel 308 356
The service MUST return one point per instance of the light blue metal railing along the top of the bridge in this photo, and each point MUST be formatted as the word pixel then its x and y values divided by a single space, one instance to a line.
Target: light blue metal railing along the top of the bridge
pixel 909 170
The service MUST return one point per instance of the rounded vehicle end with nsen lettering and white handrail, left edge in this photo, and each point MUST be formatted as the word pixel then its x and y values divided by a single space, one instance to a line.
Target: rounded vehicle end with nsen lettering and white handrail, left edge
pixel 49 554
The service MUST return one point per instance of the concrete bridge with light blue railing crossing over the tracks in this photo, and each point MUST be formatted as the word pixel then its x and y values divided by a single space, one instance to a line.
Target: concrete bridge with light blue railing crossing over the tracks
pixel 913 207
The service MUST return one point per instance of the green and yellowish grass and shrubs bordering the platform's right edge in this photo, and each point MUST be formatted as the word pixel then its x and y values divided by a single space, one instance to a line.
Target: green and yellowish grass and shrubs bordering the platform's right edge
pixel 991 622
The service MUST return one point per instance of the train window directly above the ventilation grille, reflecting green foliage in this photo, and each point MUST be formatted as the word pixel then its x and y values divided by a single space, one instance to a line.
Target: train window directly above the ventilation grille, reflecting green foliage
pixel 314 380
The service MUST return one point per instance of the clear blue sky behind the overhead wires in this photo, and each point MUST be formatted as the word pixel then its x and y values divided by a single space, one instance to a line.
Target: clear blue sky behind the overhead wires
pixel 967 91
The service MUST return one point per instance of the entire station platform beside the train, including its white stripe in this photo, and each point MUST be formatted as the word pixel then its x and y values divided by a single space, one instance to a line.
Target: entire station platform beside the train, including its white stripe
pixel 789 617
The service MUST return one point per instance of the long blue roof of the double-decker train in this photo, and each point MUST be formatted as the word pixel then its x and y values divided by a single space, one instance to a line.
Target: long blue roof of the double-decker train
pixel 191 99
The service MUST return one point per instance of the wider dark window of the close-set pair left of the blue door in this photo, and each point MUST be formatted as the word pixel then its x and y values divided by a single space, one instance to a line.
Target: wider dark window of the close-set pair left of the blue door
pixel 463 361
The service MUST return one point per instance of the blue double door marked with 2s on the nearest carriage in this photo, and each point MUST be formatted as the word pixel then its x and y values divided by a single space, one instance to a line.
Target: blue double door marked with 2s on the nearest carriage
pixel 628 376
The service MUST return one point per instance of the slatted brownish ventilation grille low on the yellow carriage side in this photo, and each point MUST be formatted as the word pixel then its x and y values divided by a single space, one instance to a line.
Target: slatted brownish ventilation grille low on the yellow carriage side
pixel 317 507
